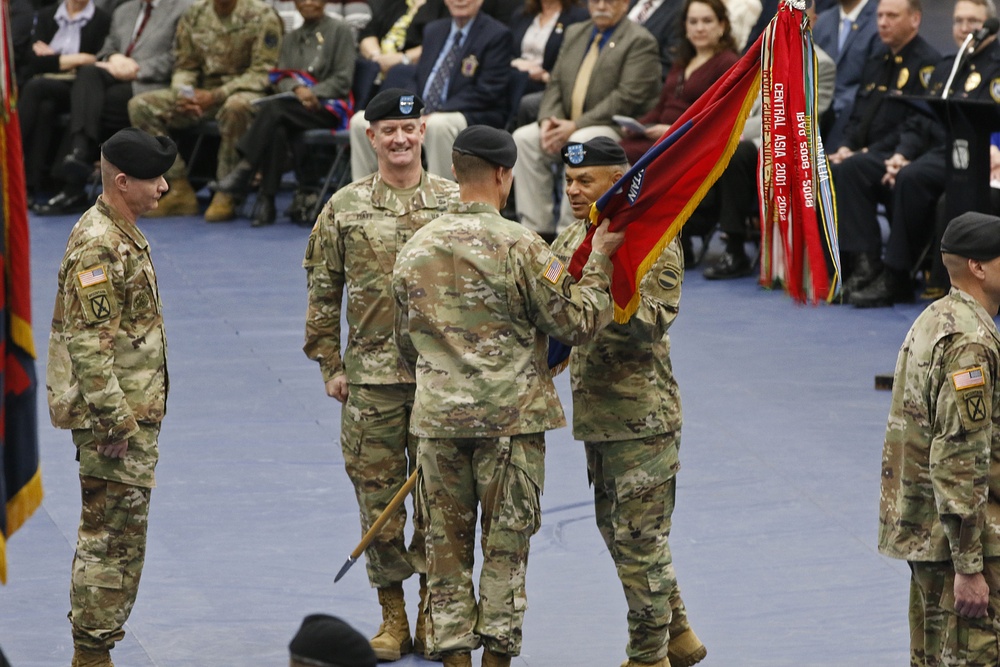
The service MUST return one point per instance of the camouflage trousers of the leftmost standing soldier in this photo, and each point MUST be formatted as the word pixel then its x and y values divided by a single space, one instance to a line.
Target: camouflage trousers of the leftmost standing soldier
pixel 110 549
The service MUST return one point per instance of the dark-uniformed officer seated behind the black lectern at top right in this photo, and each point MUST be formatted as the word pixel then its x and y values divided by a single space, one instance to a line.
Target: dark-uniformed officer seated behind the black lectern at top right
pixel 911 180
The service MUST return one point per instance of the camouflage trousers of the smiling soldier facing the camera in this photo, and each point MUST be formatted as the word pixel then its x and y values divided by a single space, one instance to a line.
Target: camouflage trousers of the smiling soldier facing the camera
pixel 379 456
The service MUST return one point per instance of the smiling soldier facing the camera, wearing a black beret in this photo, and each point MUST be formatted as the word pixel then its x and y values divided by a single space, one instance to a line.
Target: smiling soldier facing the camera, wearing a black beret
pixel 353 245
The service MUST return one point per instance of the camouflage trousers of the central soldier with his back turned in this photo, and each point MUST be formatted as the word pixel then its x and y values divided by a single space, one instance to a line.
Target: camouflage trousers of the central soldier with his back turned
pixel 456 476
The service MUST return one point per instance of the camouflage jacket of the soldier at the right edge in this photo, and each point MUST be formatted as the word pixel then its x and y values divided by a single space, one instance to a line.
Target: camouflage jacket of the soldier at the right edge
pixel 940 497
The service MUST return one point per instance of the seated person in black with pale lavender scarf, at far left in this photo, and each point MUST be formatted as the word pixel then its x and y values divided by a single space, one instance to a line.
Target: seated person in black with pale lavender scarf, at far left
pixel 66 36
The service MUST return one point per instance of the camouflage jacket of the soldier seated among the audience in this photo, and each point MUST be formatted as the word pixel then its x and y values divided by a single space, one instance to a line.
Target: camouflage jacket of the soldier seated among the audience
pixel 229 54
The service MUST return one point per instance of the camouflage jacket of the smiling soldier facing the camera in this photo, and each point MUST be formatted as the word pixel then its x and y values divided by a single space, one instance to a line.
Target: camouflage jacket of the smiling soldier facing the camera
pixel 347 247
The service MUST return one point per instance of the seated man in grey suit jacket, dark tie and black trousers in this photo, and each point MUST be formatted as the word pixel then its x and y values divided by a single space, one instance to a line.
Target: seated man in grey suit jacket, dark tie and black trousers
pixel 137 57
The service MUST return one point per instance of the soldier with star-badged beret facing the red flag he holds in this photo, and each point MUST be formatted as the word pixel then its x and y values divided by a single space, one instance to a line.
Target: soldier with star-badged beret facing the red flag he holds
pixel 627 410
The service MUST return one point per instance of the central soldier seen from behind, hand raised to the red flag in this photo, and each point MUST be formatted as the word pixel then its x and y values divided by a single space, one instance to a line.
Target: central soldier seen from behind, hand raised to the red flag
pixel 476 295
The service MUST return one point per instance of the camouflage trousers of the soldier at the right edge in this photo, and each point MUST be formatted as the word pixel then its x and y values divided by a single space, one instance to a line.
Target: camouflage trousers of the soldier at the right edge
pixel 938 636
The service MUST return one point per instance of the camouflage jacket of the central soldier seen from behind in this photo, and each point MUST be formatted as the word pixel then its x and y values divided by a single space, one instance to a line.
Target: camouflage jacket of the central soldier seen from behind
pixel 476 295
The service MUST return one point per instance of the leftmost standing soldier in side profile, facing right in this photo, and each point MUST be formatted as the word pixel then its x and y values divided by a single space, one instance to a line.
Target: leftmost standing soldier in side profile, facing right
pixel 107 381
